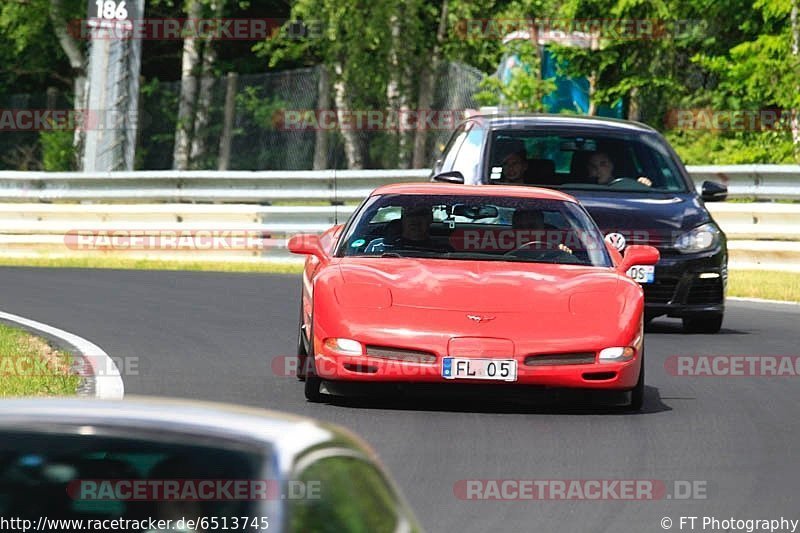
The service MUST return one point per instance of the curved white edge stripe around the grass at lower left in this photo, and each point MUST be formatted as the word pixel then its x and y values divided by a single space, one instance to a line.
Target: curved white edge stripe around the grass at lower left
pixel 107 380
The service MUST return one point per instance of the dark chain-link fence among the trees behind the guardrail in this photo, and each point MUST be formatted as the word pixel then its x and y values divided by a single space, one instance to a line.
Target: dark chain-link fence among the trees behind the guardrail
pixel 258 139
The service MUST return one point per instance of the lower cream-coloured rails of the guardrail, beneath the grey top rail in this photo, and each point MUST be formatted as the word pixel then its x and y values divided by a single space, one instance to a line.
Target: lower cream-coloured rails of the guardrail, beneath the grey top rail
pixel 761 235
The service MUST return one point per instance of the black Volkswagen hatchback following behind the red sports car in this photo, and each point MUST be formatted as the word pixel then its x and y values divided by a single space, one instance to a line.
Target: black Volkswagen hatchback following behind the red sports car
pixel 631 182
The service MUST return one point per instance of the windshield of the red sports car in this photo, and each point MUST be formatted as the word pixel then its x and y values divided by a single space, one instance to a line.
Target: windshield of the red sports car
pixel 461 227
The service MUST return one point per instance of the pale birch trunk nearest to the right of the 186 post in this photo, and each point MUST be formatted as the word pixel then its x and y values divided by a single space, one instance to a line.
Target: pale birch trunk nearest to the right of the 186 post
pixel 189 64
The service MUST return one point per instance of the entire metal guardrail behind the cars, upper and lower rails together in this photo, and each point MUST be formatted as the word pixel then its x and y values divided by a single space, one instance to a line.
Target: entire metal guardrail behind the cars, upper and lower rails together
pixel 38 209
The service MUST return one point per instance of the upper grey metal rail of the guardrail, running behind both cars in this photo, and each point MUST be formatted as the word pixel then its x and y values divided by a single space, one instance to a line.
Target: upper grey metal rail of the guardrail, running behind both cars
pixel 757 181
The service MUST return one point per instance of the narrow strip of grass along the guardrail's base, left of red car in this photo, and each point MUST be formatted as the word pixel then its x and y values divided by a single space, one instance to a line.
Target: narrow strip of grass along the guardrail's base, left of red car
pixel 152 264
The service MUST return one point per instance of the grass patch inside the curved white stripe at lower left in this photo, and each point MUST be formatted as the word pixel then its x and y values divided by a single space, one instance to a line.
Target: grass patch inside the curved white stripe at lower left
pixel 31 367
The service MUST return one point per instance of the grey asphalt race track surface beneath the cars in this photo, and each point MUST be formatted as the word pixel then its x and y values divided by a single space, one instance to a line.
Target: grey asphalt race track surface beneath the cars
pixel 213 336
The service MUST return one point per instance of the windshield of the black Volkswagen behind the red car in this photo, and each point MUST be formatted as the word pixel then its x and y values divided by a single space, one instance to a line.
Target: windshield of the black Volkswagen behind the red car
pixel 596 162
